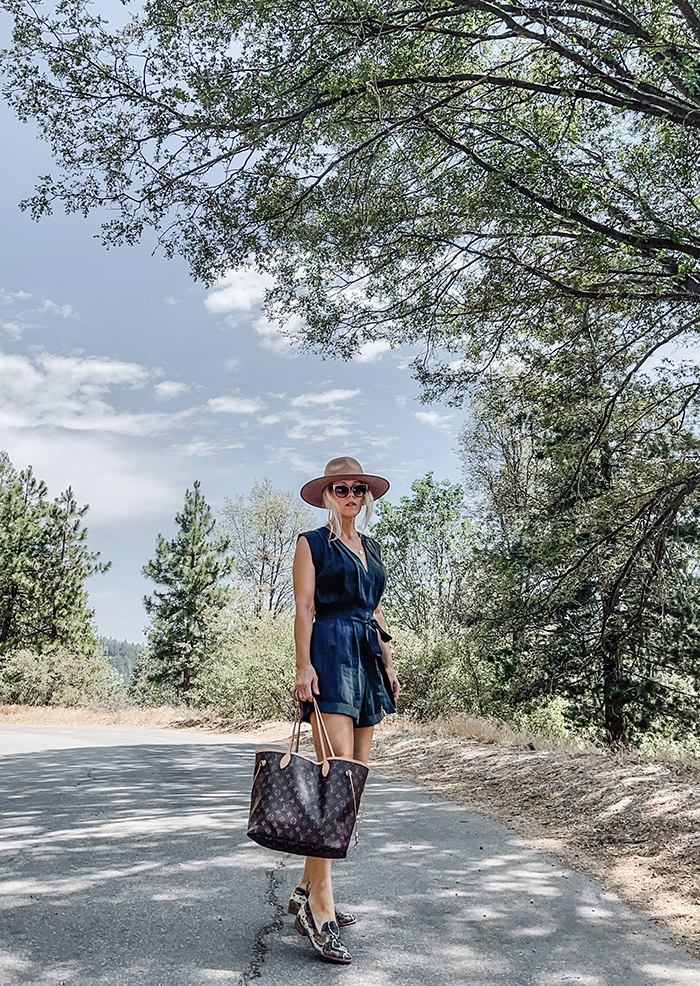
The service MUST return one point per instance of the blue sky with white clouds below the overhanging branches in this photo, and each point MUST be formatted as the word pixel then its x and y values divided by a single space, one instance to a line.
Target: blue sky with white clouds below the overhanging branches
pixel 123 378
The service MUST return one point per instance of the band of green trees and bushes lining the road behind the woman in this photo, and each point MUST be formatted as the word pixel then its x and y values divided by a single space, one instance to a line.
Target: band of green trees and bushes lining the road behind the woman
pixel 516 609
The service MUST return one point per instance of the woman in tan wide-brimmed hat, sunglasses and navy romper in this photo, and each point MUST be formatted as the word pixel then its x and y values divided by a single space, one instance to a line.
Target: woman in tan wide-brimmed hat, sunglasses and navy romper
pixel 343 657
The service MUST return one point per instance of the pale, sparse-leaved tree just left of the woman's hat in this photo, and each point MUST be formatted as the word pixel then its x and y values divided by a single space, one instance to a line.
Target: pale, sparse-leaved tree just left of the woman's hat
pixel 263 535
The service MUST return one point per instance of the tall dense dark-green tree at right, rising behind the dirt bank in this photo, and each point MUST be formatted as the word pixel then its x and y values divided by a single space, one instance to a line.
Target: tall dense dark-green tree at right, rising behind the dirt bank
pixel 586 583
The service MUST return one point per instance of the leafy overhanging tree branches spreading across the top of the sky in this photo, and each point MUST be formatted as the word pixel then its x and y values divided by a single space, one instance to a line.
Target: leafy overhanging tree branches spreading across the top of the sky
pixel 451 174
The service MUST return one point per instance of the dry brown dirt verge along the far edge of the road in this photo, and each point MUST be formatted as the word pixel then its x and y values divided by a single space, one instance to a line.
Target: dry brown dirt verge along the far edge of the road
pixel 632 823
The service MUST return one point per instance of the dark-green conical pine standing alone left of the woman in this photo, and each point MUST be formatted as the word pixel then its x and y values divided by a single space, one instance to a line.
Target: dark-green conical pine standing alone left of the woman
pixel 190 569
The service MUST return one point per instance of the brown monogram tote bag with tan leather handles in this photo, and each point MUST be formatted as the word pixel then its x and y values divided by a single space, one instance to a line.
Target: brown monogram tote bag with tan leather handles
pixel 304 807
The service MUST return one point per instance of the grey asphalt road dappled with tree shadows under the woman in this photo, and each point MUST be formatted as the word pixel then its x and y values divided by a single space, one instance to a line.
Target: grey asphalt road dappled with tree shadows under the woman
pixel 124 860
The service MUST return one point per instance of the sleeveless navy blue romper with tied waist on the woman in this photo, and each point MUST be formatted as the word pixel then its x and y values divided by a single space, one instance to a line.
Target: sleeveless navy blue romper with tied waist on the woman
pixel 345 651
